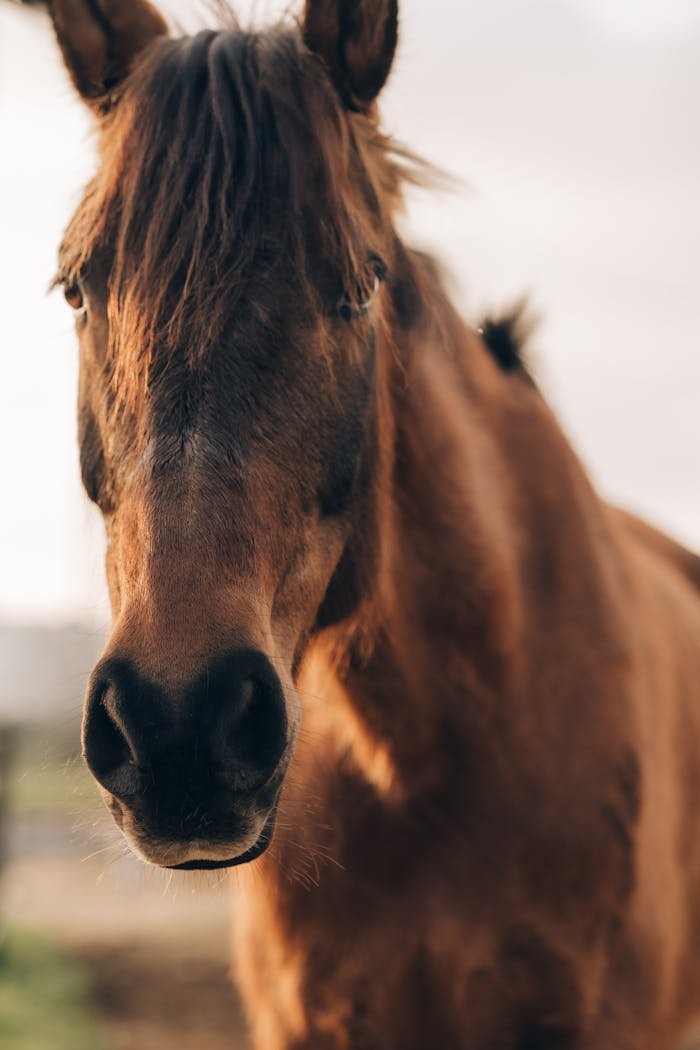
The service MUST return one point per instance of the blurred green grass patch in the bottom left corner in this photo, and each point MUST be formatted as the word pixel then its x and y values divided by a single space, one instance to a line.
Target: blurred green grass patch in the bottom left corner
pixel 45 998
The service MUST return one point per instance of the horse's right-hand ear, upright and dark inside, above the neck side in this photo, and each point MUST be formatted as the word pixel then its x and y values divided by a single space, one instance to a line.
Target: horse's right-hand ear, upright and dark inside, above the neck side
pixel 357 40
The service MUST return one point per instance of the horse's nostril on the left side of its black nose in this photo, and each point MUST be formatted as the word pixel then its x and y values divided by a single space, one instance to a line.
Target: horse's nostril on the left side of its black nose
pixel 108 750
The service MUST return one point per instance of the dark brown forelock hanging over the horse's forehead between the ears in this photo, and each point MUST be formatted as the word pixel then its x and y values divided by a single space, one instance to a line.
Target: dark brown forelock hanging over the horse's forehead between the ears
pixel 226 153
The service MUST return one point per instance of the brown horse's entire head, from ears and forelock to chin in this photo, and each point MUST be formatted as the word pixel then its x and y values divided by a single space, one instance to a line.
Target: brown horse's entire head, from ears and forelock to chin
pixel 225 407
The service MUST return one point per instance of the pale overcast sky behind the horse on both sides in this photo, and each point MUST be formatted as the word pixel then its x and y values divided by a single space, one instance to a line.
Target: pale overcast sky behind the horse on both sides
pixel 574 127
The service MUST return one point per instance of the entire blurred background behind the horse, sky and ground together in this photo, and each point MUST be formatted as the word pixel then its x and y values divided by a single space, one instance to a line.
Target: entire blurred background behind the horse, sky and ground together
pixel 575 127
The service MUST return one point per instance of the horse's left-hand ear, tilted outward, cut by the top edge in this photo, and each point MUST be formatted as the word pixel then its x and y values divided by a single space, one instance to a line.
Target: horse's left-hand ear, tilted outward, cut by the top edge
pixel 100 40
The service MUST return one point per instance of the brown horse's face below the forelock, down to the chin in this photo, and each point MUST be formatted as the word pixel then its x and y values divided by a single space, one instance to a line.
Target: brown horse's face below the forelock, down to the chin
pixel 229 511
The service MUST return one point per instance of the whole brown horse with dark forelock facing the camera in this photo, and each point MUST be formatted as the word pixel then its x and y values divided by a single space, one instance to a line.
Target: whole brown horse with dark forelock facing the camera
pixel 373 629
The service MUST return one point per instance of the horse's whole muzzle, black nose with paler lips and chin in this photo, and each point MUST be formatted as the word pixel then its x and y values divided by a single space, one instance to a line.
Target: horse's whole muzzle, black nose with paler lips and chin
pixel 192 775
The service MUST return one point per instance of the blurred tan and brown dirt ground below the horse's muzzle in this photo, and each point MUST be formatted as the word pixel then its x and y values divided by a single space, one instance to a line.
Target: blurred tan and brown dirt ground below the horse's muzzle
pixel 157 948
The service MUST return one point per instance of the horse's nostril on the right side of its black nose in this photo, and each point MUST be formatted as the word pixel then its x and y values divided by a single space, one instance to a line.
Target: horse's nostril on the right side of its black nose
pixel 256 733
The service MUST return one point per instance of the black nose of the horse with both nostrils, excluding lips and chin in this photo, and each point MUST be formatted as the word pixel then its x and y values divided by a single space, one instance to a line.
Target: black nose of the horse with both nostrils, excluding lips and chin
pixel 228 728
